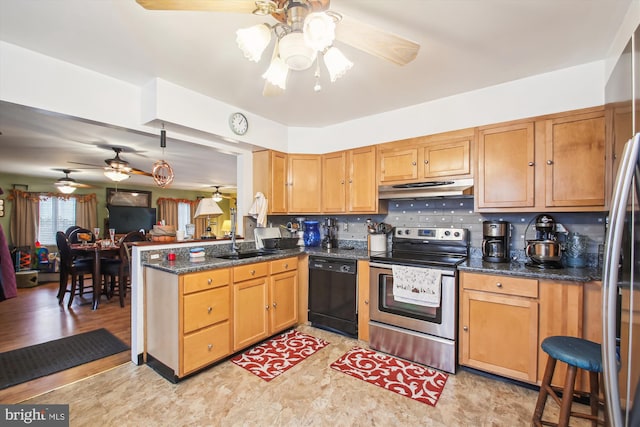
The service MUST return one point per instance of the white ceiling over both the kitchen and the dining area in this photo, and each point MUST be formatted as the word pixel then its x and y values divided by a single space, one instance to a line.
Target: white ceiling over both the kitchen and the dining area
pixel 465 45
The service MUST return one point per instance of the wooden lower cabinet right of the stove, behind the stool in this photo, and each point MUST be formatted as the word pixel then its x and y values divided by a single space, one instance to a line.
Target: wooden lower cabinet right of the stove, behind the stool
pixel 504 319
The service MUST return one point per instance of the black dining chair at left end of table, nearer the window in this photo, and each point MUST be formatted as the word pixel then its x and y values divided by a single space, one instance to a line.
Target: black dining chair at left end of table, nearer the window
pixel 71 266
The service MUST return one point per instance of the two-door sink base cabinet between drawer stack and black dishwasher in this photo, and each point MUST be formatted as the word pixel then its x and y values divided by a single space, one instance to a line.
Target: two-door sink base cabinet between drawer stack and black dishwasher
pixel 265 300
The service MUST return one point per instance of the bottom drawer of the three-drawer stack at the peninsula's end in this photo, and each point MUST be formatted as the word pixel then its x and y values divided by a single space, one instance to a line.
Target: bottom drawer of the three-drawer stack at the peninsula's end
pixel 206 346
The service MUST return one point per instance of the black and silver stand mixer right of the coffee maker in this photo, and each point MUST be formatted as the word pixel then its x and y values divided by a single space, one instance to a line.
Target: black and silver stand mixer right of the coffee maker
pixel 545 251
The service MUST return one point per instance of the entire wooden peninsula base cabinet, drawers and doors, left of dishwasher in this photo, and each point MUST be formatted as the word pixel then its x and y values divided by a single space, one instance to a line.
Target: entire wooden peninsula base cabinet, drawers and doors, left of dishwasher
pixel 193 320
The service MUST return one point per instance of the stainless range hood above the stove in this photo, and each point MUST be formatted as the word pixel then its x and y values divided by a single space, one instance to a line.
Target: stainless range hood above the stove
pixel 427 190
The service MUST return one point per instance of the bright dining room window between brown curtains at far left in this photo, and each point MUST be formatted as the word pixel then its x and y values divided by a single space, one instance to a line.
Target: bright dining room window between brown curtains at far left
pixel 56 214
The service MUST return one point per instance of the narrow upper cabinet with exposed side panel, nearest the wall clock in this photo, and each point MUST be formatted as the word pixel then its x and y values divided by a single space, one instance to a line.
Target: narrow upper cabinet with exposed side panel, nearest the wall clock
pixel 270 178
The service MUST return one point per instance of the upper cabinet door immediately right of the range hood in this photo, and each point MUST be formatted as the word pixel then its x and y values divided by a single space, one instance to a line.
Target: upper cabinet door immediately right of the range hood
pixel 506 166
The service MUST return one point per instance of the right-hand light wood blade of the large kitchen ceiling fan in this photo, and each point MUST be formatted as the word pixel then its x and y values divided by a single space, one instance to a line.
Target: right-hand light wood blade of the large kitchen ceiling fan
pixel 375 41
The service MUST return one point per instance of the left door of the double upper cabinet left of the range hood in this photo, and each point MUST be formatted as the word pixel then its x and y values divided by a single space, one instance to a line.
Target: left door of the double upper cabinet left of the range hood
pixel 334 189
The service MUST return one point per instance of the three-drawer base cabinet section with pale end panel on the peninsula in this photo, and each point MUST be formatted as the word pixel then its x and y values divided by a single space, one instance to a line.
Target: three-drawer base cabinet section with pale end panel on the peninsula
pixel 187 320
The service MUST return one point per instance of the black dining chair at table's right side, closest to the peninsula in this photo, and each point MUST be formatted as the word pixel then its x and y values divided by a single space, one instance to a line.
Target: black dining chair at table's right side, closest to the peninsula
pixel 119 269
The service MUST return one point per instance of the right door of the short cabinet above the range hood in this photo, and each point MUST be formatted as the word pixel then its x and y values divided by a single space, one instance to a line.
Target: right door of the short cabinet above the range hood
pixel 446 159
